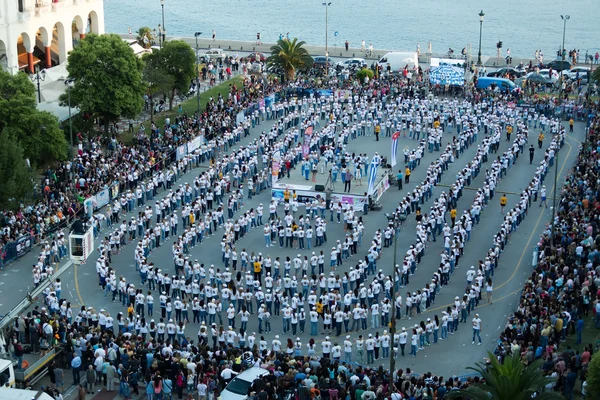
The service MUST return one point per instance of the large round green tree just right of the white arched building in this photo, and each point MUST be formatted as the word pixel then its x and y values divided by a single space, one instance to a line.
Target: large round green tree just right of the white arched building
pixel 107 78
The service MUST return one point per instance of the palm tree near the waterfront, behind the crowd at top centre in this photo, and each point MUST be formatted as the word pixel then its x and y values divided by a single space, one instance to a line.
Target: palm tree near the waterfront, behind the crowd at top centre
pixel 289 56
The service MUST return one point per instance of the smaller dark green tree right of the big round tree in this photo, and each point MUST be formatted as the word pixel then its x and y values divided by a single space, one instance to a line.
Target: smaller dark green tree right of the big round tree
pixel 177 62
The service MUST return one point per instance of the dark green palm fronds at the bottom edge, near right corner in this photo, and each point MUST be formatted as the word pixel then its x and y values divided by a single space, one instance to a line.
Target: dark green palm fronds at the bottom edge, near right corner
pixel 509 381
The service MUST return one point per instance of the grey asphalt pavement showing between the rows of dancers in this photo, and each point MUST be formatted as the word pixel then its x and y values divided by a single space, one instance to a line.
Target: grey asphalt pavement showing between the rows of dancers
pixel 80 284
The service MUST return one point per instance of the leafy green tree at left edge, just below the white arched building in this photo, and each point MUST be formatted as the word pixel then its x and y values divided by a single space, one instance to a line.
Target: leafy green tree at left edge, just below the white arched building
pixel 36 132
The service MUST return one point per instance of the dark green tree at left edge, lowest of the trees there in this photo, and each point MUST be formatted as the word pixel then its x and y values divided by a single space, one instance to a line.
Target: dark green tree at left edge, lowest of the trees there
pixel 16 184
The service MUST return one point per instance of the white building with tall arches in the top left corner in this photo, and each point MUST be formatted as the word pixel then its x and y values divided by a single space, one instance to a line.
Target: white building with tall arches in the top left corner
pixel 43 32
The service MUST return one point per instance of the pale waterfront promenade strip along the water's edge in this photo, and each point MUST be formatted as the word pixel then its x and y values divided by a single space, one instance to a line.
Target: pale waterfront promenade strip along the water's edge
pixel 334 51
